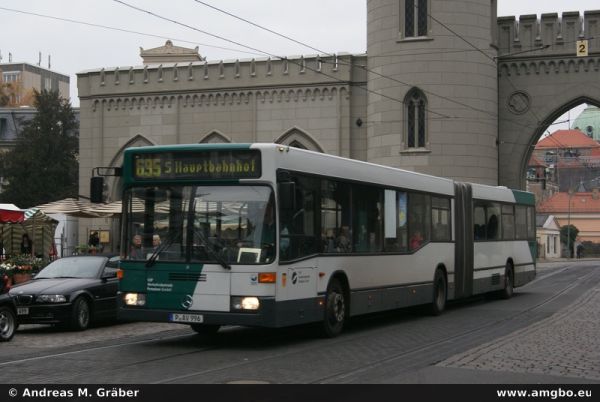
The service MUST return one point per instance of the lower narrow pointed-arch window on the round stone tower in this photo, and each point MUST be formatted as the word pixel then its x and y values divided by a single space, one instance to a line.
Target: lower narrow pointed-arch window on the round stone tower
pixel 415 105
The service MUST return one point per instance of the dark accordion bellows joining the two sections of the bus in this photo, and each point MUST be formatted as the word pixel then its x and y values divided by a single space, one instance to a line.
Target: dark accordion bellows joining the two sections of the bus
pixel 463 264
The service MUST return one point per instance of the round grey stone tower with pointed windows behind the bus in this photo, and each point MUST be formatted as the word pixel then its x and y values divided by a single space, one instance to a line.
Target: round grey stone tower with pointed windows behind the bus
pixel 433 87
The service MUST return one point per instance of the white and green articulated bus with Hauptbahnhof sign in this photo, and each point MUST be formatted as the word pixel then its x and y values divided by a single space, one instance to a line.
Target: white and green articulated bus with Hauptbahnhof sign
pixel 270 235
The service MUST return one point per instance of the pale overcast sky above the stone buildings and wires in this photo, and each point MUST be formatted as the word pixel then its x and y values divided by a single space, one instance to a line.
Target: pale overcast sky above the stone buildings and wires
pixel 338 26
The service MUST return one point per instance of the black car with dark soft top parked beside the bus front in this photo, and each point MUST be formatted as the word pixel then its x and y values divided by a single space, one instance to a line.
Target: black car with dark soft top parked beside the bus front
pixel 70 292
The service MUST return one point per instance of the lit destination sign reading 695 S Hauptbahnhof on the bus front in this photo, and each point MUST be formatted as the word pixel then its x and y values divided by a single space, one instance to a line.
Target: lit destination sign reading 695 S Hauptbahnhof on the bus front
pixel 211 165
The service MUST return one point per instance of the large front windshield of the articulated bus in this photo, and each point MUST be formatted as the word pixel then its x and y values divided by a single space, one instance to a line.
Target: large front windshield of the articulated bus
pixel 207 224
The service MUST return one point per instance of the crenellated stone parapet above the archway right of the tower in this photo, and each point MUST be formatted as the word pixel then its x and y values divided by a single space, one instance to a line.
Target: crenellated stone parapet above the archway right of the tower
pixel 550 34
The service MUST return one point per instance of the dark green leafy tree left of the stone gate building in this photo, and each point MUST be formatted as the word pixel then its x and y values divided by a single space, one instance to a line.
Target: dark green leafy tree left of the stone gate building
pixel 43 166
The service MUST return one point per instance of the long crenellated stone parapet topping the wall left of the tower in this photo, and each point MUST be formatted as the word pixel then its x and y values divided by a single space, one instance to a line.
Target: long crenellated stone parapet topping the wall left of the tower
pixel 293 71
